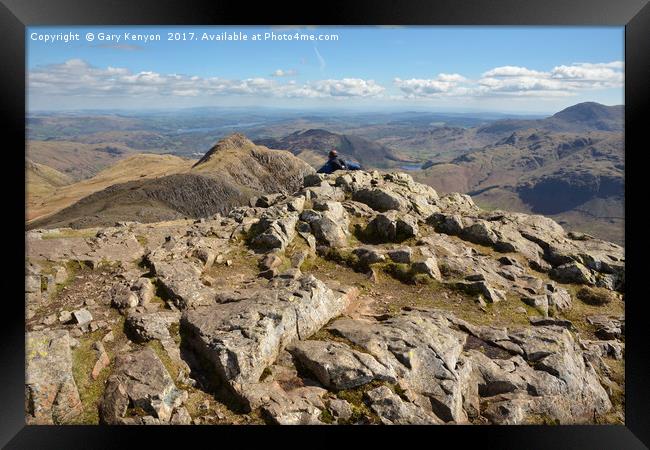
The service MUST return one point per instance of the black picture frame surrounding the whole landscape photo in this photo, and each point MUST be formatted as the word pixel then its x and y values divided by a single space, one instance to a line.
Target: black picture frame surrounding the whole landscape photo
pixel 15 15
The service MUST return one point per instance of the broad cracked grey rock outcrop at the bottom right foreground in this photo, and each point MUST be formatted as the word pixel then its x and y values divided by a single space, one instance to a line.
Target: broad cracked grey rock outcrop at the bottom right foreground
pixel 538 371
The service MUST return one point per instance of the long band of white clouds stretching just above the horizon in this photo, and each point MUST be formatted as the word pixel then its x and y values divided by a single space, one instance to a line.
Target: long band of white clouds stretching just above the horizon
pixel 76 77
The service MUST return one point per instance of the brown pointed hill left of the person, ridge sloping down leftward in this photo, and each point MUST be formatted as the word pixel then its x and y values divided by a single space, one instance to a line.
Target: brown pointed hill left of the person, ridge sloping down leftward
pixel 230 173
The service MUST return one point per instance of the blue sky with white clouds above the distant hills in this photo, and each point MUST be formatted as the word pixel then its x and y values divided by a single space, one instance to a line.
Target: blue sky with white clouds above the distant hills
pixel 445 69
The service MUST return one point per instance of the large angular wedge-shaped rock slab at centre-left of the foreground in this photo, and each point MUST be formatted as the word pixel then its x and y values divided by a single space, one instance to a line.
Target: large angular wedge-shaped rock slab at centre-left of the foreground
pixel 241 338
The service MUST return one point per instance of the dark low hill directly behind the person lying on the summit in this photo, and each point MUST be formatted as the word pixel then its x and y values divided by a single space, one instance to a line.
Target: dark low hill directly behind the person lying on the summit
pixel 313 145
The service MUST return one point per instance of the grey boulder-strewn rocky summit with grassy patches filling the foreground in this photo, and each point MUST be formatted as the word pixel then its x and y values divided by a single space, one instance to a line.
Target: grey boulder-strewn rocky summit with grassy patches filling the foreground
pixel 360 298
